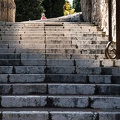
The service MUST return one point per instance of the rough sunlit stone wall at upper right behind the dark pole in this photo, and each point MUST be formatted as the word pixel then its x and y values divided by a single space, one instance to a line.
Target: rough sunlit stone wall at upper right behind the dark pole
pixel 96 11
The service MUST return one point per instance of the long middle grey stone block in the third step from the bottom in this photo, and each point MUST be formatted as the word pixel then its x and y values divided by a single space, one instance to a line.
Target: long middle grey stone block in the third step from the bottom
pixel 71 89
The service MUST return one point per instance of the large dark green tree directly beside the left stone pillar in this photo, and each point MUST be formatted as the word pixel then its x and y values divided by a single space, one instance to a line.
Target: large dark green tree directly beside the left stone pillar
pixel 28 9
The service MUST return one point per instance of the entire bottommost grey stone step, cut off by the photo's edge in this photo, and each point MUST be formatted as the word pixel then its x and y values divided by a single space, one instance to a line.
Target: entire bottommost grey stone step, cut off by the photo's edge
pixel 60 115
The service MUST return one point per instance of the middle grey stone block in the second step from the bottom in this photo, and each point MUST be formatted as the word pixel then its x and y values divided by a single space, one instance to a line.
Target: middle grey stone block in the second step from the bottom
pixel 68 101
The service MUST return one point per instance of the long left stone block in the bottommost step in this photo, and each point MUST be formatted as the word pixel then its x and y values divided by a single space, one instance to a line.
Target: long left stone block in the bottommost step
pixel 25 115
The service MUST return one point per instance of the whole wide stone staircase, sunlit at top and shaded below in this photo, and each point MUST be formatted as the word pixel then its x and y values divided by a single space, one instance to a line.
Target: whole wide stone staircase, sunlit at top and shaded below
pixel 57 71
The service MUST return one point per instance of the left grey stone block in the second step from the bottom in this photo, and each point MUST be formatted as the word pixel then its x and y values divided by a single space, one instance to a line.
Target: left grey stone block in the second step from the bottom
pixel 23 101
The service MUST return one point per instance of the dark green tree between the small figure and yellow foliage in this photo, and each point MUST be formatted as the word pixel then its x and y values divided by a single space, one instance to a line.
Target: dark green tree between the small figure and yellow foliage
pixel 54 8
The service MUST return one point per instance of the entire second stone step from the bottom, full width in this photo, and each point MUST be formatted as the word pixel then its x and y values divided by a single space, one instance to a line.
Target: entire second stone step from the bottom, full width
pixel 61 102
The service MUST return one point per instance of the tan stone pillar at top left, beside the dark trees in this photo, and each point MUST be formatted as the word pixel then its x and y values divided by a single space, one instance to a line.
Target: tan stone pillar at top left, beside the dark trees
pixel 7 10
